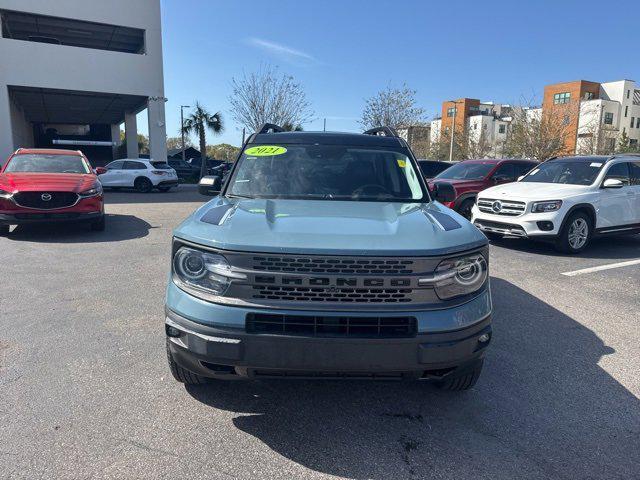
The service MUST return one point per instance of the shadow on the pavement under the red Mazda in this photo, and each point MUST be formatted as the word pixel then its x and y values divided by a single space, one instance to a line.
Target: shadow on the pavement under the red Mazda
pixel 118 228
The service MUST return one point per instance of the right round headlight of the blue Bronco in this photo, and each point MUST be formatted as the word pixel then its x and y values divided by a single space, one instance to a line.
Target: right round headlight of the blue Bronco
pixel 459 276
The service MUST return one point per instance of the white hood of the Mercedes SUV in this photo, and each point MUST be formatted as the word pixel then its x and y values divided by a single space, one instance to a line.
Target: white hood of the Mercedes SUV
pixel 534 191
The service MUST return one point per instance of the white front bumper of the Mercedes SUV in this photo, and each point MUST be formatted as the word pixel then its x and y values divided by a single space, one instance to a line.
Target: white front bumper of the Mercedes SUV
pixel 528 225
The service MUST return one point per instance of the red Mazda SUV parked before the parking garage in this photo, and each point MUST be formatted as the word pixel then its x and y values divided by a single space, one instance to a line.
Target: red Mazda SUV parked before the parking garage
pixel 44 186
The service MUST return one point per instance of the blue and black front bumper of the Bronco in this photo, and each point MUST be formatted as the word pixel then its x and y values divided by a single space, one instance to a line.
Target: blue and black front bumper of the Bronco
pixel 213 342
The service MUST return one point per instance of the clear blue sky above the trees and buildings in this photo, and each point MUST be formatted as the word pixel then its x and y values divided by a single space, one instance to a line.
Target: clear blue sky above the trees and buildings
pixel 343 51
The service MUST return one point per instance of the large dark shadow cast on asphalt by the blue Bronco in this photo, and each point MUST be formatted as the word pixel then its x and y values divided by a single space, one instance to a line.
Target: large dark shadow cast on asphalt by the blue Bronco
pixel 543 408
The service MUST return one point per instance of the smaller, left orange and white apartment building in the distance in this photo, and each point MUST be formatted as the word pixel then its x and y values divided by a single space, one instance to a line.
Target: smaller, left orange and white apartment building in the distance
pixel 479 122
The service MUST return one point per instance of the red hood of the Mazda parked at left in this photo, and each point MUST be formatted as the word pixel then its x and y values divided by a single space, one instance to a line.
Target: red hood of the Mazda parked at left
pixel 51 182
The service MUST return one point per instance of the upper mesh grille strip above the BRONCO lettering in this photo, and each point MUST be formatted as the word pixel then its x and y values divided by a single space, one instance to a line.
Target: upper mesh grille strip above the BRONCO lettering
pixel 334 265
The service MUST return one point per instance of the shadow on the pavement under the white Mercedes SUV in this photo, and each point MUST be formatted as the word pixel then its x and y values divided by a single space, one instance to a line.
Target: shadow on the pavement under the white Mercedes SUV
pixel 614 248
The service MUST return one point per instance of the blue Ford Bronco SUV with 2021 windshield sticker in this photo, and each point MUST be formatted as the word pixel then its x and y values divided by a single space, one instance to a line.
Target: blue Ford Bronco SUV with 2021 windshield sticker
pixel 324 256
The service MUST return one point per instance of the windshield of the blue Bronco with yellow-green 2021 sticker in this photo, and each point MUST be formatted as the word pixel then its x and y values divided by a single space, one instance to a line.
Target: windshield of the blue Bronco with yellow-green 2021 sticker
pixel 325 172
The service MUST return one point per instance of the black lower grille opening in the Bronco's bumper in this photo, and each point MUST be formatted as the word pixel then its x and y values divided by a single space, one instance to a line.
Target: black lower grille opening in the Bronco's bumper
pixel 323 326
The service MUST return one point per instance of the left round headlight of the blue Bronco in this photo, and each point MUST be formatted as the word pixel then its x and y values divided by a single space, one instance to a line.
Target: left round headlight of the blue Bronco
pixel 202 272
